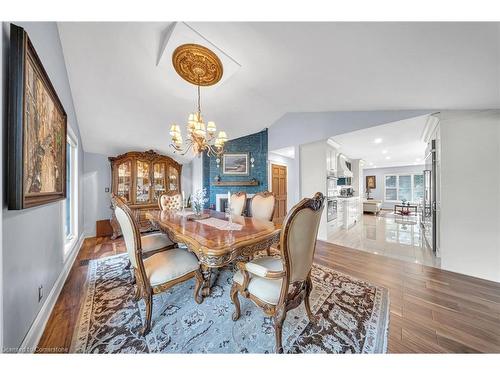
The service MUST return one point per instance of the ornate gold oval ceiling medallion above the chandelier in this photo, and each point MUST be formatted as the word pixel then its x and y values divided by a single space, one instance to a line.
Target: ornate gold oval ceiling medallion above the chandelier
pixel 197 64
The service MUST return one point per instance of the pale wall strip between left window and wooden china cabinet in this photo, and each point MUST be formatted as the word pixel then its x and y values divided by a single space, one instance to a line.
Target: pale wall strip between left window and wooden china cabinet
pixel 96 178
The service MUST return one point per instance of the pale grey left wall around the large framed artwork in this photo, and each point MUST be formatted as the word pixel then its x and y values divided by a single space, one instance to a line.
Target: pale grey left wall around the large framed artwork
pixel 33 238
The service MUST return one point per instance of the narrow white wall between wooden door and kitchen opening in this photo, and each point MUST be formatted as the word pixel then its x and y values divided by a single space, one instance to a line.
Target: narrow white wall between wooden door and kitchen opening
pixel 313 176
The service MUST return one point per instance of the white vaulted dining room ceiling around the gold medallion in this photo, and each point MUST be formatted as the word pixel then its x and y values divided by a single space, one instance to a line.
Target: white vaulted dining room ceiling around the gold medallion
pixel 124 101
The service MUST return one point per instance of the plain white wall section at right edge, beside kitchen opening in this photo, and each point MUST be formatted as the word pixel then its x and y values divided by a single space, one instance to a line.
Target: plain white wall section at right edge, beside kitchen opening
pixel 470 186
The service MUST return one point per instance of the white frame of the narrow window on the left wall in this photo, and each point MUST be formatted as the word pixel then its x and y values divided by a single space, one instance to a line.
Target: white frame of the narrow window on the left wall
pixel 71 239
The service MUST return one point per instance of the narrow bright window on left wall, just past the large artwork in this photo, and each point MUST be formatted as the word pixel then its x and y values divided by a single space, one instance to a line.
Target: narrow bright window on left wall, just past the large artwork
pixel 71 202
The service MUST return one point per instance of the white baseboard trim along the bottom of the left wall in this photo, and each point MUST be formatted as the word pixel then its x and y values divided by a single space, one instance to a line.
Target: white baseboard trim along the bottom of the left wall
pixel 35 332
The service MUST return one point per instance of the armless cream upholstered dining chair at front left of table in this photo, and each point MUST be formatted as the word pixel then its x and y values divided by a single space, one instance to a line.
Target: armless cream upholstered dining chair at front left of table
pixel 160 271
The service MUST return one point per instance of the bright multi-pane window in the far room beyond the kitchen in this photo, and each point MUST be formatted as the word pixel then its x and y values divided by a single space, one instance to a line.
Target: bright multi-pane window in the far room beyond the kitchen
pixel 409 187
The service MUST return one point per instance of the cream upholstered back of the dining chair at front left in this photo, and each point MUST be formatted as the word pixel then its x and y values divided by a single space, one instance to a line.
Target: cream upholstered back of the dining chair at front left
pixel 129 229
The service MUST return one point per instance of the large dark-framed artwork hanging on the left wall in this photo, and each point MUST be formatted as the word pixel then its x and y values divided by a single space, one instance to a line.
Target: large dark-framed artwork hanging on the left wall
pixel 36 133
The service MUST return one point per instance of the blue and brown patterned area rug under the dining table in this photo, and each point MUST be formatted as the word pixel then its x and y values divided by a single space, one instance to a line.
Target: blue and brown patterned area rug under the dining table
pixel 353 317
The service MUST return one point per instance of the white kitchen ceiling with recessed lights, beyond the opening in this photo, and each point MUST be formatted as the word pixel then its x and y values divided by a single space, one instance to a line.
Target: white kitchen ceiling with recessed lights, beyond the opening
pixel 391 145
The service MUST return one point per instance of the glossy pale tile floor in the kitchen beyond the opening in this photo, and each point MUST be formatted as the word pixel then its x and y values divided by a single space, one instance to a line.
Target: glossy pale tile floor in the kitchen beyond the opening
pixel 390 235
